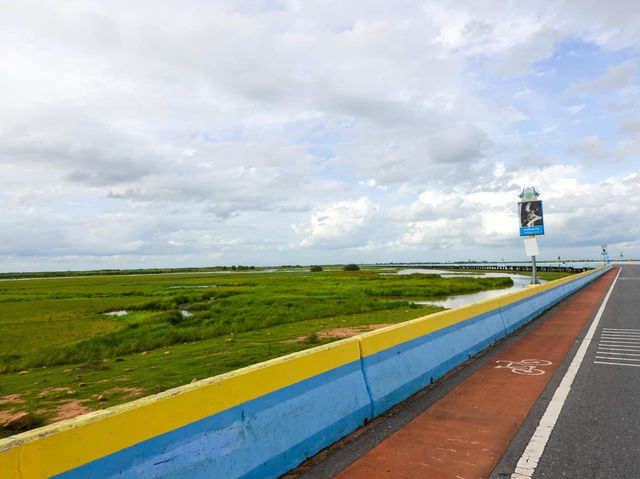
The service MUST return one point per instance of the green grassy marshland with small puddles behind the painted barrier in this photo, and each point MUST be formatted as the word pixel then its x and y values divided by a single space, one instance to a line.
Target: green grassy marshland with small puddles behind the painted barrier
pixel 60 354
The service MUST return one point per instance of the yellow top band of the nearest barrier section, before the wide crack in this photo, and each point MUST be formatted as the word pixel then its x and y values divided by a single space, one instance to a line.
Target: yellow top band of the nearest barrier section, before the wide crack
pixel 66 445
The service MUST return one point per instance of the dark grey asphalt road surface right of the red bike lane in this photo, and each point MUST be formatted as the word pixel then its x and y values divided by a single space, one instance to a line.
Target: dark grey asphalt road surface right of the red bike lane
pixel 597 433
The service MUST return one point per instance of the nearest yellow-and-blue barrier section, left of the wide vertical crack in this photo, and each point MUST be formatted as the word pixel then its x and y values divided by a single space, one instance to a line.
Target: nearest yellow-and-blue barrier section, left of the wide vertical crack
pixel 255 422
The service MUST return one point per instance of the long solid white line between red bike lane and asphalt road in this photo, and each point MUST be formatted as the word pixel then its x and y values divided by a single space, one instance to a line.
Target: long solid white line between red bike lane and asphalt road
pixel 533 452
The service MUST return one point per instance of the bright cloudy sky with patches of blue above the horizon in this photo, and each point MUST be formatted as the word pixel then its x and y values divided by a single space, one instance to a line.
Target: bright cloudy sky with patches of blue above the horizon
pixel 185 134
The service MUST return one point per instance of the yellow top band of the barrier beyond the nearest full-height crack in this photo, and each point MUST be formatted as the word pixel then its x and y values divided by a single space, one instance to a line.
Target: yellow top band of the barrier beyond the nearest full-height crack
pixel 381 339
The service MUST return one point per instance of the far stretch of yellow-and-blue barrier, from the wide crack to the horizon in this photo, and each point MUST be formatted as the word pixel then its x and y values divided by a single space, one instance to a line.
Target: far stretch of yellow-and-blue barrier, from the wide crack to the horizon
pixel 400 360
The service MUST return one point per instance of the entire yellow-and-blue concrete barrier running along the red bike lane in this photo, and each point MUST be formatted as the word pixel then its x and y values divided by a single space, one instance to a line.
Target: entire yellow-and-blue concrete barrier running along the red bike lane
pixel 263 420
